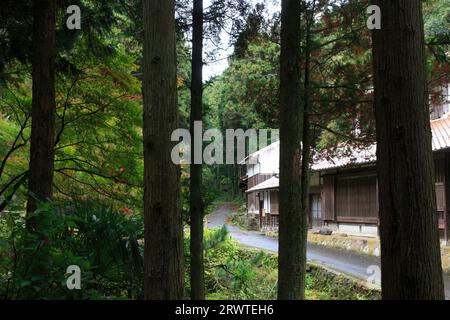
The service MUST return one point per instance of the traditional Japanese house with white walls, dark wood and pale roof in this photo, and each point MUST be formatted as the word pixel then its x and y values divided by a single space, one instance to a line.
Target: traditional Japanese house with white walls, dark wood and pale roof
pixel 344 189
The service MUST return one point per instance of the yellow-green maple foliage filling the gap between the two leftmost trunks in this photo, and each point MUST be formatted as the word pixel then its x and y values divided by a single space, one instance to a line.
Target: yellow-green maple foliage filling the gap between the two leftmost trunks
pixel 99 138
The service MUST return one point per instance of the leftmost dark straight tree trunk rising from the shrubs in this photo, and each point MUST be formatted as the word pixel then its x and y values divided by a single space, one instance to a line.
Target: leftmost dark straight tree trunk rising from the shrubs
pixel 43 106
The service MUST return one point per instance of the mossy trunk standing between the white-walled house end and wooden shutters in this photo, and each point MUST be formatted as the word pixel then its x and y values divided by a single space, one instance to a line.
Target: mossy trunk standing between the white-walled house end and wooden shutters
pixel 293 221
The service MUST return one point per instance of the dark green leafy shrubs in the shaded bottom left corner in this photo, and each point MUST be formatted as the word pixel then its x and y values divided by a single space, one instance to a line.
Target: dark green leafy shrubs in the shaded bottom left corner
pixel 37 250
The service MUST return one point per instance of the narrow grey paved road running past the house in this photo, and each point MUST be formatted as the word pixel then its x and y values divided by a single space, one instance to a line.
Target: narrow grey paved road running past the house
pixel 347 262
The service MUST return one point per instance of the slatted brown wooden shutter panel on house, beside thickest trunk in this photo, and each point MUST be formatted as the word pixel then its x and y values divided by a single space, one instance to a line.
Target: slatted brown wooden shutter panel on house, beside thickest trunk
pixel 356 199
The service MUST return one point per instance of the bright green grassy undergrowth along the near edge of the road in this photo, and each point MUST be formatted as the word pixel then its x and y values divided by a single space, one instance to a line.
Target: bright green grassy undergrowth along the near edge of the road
pixel 234 272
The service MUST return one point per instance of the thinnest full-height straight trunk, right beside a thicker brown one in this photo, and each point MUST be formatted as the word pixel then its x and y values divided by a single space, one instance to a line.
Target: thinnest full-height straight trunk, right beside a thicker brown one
pixel 196 202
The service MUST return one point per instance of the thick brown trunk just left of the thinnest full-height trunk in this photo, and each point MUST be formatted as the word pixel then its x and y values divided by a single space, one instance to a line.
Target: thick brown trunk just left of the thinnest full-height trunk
pixel 163 253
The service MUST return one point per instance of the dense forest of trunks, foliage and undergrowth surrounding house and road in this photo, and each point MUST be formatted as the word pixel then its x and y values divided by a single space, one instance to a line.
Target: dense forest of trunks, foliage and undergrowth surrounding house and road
pixel 92 205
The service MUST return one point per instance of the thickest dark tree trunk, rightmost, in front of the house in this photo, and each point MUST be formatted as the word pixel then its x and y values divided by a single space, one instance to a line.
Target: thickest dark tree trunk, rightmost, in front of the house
pixel 410 252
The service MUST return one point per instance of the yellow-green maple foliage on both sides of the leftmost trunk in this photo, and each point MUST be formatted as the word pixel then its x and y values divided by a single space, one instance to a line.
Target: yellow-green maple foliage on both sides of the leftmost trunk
pixel 98 136
